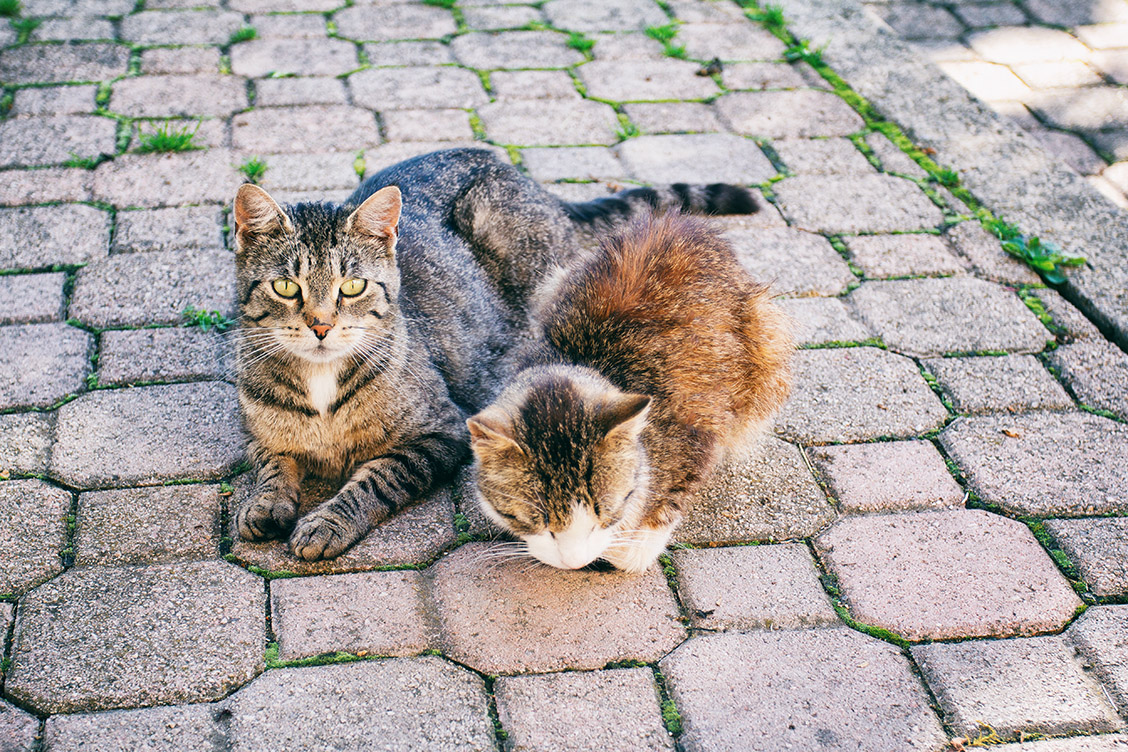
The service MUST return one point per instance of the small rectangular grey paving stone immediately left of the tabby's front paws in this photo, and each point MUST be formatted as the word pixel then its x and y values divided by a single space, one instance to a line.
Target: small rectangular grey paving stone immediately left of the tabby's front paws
pixel 148 526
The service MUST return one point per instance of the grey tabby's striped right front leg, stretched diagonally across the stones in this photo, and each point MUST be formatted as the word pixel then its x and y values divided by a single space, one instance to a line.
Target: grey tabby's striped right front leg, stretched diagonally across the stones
pixel 376 491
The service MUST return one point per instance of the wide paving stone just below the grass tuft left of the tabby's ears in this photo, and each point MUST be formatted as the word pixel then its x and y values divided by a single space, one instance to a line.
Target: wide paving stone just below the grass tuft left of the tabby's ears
pixel 193 178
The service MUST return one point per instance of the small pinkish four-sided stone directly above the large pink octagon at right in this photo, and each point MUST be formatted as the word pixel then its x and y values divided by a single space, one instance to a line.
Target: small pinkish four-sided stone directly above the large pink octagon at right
pixel 895 476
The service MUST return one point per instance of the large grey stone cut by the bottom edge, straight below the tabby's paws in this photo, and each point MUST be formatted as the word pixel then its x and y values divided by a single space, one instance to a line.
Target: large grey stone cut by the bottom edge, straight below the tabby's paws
pixel 402 704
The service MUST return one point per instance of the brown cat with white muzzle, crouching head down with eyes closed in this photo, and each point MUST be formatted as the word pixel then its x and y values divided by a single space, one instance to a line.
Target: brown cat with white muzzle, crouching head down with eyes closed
pixel 657 357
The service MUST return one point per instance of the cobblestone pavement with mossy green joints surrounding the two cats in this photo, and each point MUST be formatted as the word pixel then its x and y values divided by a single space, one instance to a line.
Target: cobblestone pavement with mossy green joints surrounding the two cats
pixel 939 526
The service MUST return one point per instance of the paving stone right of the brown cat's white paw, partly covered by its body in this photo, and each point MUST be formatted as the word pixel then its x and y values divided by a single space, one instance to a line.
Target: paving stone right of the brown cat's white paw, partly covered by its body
pixel 768 497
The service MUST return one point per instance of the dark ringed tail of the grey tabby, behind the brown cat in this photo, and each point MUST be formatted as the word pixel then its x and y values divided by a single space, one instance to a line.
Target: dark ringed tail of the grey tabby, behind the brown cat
pixel 612 211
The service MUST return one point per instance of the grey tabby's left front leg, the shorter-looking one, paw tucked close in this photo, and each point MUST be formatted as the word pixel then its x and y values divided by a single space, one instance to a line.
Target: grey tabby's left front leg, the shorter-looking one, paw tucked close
pixel 274 507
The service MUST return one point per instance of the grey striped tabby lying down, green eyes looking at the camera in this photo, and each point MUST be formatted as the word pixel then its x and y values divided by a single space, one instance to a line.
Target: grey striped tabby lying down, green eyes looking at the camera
pixel 371 330
